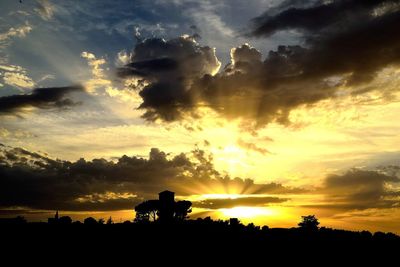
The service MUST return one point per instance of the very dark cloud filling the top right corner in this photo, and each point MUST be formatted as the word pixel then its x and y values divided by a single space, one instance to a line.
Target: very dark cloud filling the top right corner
pixel 341 36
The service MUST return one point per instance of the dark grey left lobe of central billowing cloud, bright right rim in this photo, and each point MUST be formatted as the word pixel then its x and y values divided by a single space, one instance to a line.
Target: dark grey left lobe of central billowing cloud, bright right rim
pixel 169 68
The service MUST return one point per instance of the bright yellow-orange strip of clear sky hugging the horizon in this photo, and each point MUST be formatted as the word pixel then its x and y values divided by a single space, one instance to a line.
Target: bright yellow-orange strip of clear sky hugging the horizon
pixel 272 216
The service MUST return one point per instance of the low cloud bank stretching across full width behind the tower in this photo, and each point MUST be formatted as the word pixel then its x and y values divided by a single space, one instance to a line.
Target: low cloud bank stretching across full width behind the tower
pixel 33 181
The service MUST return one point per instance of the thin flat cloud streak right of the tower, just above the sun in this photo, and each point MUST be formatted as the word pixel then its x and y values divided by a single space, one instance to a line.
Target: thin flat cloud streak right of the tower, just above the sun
pixel 226 203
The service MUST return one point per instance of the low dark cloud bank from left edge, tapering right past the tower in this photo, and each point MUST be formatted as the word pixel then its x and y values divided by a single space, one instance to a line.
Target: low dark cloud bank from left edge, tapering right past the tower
pixel 33 181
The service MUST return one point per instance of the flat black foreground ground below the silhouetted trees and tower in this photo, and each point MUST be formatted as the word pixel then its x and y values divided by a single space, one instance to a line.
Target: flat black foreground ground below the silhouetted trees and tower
pixel 195 240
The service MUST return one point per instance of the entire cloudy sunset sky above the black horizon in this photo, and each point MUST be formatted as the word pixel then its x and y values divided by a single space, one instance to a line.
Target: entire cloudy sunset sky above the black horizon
pixel 265 110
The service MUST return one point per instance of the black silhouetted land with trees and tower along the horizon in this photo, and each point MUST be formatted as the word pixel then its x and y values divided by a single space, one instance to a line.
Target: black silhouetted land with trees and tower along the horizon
pixel 163 226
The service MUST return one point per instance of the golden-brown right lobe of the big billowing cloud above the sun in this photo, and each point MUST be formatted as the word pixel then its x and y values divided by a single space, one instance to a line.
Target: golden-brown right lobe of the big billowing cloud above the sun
pixel 261 91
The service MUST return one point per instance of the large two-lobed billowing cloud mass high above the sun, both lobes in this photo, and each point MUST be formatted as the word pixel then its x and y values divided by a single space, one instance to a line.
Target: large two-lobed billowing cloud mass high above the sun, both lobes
pixel 247 88
